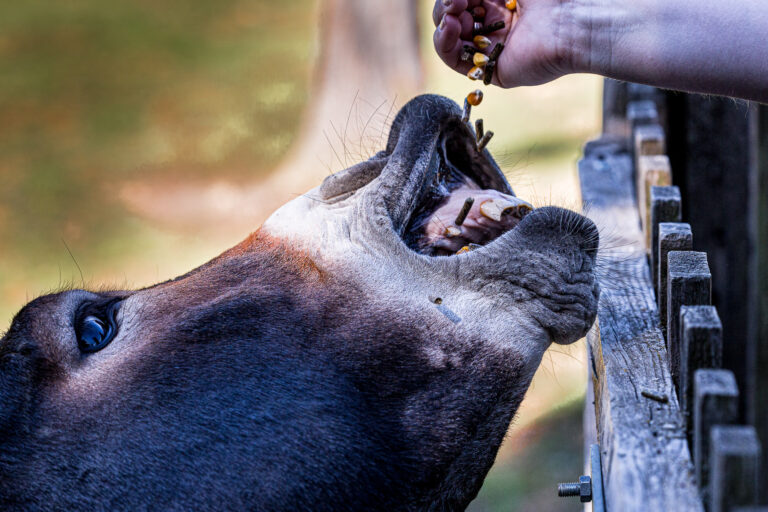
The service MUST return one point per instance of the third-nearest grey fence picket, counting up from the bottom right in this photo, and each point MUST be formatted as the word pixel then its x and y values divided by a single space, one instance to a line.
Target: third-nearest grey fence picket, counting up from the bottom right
pixel 701 347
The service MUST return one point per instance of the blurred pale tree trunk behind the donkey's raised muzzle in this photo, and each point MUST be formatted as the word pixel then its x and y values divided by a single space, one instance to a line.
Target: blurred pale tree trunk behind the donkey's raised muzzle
pixel 369 64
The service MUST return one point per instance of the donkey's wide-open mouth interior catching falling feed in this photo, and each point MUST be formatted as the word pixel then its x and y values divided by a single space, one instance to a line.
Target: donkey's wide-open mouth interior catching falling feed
pixel 465 202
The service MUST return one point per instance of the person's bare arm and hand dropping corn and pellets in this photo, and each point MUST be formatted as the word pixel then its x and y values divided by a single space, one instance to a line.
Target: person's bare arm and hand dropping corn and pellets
pixel 711 48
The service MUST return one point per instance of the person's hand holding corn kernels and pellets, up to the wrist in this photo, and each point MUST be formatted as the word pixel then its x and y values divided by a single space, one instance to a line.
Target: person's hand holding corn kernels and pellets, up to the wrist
pixel 541 37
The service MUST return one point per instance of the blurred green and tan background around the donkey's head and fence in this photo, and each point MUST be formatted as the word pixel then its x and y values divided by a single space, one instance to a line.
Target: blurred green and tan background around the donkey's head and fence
pixel 140 139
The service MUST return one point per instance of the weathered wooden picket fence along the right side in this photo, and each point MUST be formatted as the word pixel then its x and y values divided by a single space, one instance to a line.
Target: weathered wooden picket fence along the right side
pixel 678 185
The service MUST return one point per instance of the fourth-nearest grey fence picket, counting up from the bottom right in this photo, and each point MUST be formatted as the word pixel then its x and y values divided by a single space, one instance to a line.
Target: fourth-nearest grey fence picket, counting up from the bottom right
pixel 689 283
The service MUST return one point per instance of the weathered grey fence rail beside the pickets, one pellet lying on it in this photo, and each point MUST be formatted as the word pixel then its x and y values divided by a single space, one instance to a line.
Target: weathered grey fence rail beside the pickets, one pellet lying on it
pixel 645 457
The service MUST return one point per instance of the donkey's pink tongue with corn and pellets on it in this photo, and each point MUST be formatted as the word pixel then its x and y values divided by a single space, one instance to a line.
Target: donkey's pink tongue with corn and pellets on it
pixel 492 213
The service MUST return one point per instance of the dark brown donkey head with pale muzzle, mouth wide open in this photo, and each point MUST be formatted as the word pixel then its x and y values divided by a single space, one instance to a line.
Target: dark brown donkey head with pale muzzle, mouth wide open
pixel 343 357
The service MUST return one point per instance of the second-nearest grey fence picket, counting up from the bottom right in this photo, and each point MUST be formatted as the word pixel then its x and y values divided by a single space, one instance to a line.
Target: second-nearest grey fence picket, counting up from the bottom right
pixel 716 400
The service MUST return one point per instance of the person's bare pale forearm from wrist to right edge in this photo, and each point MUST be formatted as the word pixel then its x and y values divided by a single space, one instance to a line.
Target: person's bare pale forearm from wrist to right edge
pixel 713 48
